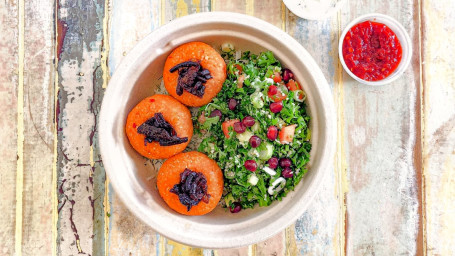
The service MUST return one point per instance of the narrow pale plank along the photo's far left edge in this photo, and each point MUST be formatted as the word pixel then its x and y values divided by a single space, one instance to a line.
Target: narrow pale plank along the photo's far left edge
pixel 9 46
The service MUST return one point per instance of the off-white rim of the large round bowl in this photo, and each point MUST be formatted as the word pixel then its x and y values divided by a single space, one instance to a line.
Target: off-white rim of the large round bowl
pixel 328 109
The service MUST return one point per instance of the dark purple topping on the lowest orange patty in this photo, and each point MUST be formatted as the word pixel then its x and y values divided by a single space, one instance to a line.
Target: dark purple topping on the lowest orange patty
pixel 192 188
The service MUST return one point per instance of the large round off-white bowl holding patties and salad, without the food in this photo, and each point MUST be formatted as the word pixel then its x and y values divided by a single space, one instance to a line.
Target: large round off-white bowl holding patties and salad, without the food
pixel 134 177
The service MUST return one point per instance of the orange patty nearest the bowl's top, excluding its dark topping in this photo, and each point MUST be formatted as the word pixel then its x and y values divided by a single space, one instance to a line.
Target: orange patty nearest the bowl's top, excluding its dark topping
pixel 209 59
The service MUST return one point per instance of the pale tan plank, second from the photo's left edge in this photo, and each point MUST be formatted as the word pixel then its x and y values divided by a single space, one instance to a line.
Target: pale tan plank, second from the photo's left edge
pixel 38 128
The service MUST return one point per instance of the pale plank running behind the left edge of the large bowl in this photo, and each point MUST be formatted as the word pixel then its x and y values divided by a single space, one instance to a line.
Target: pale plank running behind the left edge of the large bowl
pixel 130 22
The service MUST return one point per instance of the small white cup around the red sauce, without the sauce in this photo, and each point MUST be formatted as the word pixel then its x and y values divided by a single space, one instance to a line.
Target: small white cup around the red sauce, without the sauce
pixel 402 35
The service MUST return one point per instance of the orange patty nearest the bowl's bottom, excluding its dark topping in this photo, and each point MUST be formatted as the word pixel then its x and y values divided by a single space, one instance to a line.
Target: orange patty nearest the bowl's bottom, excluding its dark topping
pixel 169 176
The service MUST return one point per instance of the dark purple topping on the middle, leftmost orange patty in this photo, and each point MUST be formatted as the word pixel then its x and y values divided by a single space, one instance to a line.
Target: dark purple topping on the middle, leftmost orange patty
pixel 157 129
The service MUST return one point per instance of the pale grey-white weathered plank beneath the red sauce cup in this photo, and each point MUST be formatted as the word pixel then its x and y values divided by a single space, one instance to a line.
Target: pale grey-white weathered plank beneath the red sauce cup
pixel 381 131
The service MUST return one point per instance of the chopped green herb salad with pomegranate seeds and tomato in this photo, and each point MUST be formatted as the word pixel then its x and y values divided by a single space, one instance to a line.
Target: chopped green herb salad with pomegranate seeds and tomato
pixel 256 129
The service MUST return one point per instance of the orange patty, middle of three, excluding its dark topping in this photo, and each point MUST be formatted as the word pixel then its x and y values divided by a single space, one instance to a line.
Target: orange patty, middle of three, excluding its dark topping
pixel 176 114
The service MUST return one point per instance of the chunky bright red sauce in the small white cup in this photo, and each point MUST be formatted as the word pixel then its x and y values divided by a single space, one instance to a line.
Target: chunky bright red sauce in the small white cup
pixel 371 51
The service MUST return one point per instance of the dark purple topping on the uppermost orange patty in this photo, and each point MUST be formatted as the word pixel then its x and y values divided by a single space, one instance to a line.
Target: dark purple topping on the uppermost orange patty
pixel 192 78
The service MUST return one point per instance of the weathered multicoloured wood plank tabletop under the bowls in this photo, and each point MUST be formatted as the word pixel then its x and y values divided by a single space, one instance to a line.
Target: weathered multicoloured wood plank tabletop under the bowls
pixel 391 190
